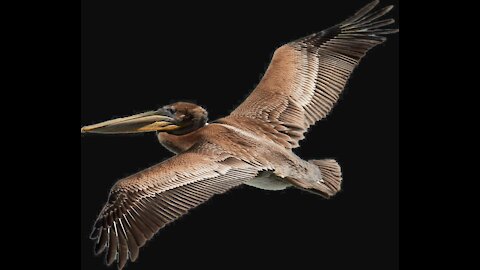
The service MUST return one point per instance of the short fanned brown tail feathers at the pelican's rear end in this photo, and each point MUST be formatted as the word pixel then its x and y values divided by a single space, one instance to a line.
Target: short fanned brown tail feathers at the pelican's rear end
pixel 331 174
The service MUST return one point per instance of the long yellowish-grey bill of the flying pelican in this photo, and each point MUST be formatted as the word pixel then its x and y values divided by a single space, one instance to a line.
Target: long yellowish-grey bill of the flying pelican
pixel 145 122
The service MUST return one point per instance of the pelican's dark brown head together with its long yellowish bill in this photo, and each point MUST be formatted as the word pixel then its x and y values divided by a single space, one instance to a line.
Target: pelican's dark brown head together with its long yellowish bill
pixel 178 118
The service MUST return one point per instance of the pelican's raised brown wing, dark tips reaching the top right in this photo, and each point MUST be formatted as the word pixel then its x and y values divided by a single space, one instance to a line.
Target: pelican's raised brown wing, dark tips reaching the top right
pixel 306 77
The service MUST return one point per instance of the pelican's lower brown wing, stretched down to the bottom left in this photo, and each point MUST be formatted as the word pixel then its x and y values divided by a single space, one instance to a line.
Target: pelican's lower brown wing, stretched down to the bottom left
pixel 142 204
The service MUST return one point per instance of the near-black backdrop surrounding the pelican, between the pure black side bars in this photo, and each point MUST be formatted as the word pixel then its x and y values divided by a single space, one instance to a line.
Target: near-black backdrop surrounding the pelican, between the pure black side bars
pixel 137 57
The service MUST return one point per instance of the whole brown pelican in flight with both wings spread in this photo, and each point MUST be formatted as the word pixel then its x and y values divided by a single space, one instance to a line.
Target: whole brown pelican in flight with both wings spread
pixel 253 145
